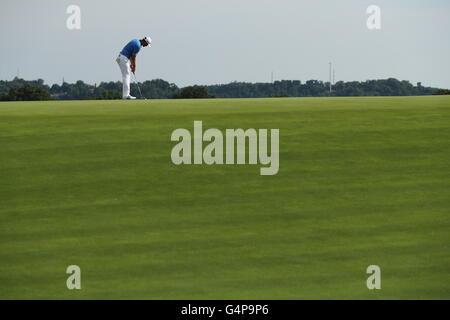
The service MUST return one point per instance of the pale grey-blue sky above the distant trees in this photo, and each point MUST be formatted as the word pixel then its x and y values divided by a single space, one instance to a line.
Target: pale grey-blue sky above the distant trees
pixel 219 41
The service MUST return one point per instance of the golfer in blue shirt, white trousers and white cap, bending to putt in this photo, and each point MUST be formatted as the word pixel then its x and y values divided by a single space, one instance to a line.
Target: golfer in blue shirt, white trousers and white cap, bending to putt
pixel 127 62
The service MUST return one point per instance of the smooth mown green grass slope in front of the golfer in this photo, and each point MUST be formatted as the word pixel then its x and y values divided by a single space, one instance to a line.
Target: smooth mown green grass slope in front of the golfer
pixel 362 181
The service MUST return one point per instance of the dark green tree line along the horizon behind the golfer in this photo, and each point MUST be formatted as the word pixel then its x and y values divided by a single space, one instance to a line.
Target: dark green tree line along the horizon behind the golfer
pixel 20 89
